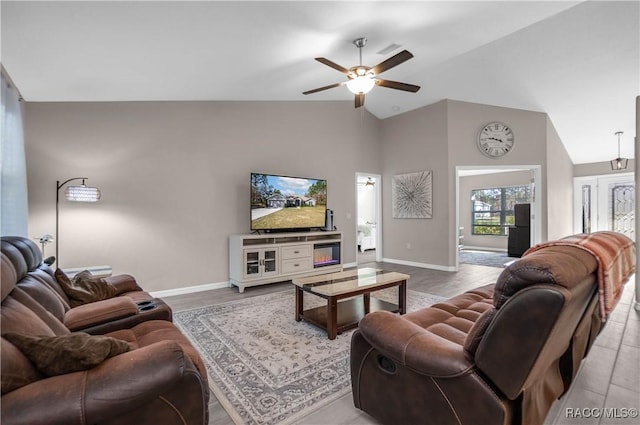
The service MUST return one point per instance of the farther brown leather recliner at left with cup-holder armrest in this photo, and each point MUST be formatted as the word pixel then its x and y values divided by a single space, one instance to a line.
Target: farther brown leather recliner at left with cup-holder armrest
pixel 131 306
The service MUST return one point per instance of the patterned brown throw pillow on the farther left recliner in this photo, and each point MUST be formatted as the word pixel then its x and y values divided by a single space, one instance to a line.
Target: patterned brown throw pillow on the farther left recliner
pixel 84 287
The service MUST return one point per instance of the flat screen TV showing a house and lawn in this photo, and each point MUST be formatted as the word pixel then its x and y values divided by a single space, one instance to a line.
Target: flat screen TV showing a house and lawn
pixel 284 203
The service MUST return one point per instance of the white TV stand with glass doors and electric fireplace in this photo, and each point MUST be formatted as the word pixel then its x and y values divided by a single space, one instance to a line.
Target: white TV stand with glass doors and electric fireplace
pixel 276 257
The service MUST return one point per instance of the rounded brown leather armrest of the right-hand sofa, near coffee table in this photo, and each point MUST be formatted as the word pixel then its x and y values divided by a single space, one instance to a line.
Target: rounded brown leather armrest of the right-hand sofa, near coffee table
pixel 412 346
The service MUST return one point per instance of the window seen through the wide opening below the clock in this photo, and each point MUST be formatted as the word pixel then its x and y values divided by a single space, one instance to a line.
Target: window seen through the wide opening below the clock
pixel 492 209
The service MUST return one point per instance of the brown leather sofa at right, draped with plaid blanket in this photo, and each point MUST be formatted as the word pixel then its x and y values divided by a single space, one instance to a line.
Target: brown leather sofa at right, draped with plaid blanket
pixel 498 354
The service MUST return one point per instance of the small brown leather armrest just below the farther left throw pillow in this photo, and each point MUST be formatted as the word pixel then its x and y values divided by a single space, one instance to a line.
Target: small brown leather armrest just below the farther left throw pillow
pixel 99 312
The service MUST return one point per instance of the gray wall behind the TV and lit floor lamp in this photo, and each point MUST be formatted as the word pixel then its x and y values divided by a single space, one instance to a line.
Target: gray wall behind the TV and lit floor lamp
pixel 175 177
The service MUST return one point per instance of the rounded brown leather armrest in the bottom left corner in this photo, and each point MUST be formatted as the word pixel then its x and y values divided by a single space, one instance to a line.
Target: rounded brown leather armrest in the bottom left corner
pixel 118 385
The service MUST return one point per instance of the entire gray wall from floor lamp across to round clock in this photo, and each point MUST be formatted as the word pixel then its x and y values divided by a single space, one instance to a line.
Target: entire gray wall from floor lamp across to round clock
pixel 175 175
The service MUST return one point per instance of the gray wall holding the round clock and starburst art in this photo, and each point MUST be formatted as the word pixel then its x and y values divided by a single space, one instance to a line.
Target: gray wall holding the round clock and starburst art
pixel 441 137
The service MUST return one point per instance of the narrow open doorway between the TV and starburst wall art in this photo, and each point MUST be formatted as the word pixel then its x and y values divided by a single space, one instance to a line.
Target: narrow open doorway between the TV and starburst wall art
pixel 368 218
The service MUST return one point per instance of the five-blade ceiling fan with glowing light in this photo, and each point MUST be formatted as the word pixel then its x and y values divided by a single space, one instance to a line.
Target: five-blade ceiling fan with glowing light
pixel 361 78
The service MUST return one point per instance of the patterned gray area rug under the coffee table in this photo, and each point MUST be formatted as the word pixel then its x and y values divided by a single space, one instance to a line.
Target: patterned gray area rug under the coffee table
pixel 266 368
